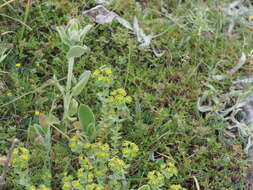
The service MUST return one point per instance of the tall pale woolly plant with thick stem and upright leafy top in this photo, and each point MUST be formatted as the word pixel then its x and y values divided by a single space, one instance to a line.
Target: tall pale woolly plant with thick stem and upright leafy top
pixel 73 35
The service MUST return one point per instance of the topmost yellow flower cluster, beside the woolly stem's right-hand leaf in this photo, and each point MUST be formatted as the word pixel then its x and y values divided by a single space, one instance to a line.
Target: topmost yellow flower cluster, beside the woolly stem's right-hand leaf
pixel 103 75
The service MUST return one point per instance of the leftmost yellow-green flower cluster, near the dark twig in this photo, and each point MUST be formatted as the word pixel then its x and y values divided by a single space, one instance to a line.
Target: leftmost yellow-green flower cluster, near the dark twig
pixel 20 157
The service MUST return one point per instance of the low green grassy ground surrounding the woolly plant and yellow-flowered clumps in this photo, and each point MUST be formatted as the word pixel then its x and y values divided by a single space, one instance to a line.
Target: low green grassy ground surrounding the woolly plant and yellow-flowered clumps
pixel 164 123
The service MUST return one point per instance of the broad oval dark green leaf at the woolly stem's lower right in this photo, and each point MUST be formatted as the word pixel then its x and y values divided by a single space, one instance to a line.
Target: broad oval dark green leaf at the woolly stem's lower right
pixel 87 121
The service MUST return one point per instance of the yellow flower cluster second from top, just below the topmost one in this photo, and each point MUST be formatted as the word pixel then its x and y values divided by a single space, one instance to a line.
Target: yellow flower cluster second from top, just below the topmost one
pixel 119 96
